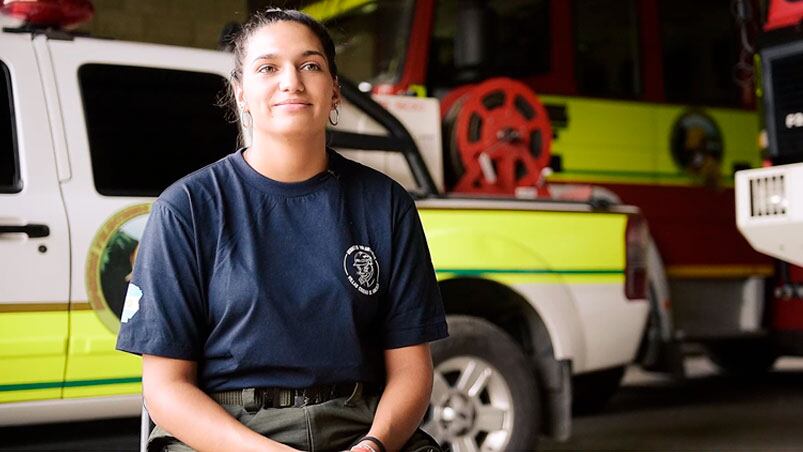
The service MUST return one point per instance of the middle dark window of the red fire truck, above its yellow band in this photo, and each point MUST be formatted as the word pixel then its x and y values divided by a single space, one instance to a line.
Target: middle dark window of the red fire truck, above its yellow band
pixel 607 60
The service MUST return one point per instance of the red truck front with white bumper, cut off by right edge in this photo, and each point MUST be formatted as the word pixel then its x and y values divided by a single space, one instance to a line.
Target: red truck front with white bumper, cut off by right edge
pixel 769 203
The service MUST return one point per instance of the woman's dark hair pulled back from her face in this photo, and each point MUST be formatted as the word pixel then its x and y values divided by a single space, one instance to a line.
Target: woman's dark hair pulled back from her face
pixel 237 42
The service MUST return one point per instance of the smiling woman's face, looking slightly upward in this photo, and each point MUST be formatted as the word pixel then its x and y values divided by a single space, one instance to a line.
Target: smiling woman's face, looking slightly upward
pixel 286 85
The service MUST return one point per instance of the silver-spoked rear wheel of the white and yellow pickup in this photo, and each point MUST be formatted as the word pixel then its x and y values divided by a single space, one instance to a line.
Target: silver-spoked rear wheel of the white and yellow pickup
pixel 485 393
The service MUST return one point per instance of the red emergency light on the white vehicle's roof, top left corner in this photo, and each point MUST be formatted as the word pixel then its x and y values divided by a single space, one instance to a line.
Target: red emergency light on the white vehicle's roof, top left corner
pixel 49 13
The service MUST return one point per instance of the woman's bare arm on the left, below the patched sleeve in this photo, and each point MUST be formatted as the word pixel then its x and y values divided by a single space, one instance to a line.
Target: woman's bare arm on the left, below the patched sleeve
pixel 177 405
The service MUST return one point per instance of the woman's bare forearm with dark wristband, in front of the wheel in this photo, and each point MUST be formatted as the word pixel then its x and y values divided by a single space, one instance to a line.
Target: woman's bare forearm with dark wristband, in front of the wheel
pixel 406 397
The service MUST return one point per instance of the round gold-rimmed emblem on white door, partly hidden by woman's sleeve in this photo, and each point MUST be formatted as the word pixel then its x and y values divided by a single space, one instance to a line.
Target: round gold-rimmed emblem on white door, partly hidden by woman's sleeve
pixel 110 260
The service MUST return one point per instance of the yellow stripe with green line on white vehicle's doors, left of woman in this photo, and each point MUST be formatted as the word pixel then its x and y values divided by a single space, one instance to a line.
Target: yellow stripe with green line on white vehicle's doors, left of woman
pixel 38 362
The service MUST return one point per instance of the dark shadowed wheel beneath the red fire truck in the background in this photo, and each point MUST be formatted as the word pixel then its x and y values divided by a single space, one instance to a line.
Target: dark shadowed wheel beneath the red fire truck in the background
pixel 743 357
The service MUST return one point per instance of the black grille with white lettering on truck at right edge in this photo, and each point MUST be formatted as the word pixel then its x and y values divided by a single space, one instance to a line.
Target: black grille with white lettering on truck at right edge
pixel 784 66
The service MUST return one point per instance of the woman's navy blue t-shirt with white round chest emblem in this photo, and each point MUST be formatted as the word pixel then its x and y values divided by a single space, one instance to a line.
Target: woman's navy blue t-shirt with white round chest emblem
pixel 265 283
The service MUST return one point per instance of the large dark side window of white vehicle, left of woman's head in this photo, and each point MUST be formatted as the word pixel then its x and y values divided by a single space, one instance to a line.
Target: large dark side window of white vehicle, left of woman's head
pixel 148 127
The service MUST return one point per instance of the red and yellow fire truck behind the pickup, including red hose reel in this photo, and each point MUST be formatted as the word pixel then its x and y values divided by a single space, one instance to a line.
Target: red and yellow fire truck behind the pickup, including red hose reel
pixel 649 102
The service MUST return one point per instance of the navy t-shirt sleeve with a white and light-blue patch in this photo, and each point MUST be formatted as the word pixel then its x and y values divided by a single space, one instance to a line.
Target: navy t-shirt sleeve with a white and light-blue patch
pixel 163 310
